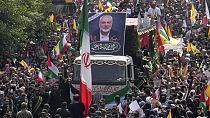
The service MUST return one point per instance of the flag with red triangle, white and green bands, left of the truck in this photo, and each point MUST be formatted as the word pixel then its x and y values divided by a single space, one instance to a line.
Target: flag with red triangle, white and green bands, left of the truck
pixel 52 69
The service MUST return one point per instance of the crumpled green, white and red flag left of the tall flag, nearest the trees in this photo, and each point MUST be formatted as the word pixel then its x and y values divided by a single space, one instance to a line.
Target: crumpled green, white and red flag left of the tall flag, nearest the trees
pixel 62 46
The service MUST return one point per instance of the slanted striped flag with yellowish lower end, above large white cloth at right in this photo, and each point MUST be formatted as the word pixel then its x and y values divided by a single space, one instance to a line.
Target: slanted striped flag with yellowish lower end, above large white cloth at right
pixel 164 37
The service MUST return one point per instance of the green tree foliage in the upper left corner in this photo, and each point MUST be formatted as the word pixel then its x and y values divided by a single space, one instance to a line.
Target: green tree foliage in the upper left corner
pixel 22 21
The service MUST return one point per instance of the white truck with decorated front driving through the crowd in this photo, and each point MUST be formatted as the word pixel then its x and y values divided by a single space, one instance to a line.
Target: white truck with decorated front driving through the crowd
pixel 110 74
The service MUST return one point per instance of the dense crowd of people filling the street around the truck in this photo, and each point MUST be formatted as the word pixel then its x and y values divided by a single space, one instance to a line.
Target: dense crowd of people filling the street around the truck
pixel 178 86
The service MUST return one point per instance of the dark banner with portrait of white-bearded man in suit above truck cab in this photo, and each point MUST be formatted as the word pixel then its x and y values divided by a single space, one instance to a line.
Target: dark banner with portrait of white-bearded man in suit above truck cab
pixel 107 33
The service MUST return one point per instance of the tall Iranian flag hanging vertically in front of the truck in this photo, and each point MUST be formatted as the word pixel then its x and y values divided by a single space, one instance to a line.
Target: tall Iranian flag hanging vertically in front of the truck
pixel 86 77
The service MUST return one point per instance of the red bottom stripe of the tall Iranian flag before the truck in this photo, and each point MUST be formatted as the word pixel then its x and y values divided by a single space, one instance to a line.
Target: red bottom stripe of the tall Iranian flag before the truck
pixel 87 99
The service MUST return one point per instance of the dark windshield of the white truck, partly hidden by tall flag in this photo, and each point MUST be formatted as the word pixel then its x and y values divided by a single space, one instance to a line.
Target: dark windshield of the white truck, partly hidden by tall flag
pixel 104 74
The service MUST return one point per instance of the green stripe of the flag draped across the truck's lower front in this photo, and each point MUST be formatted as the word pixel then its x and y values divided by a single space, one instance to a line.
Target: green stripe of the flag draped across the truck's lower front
pixel 121 93
